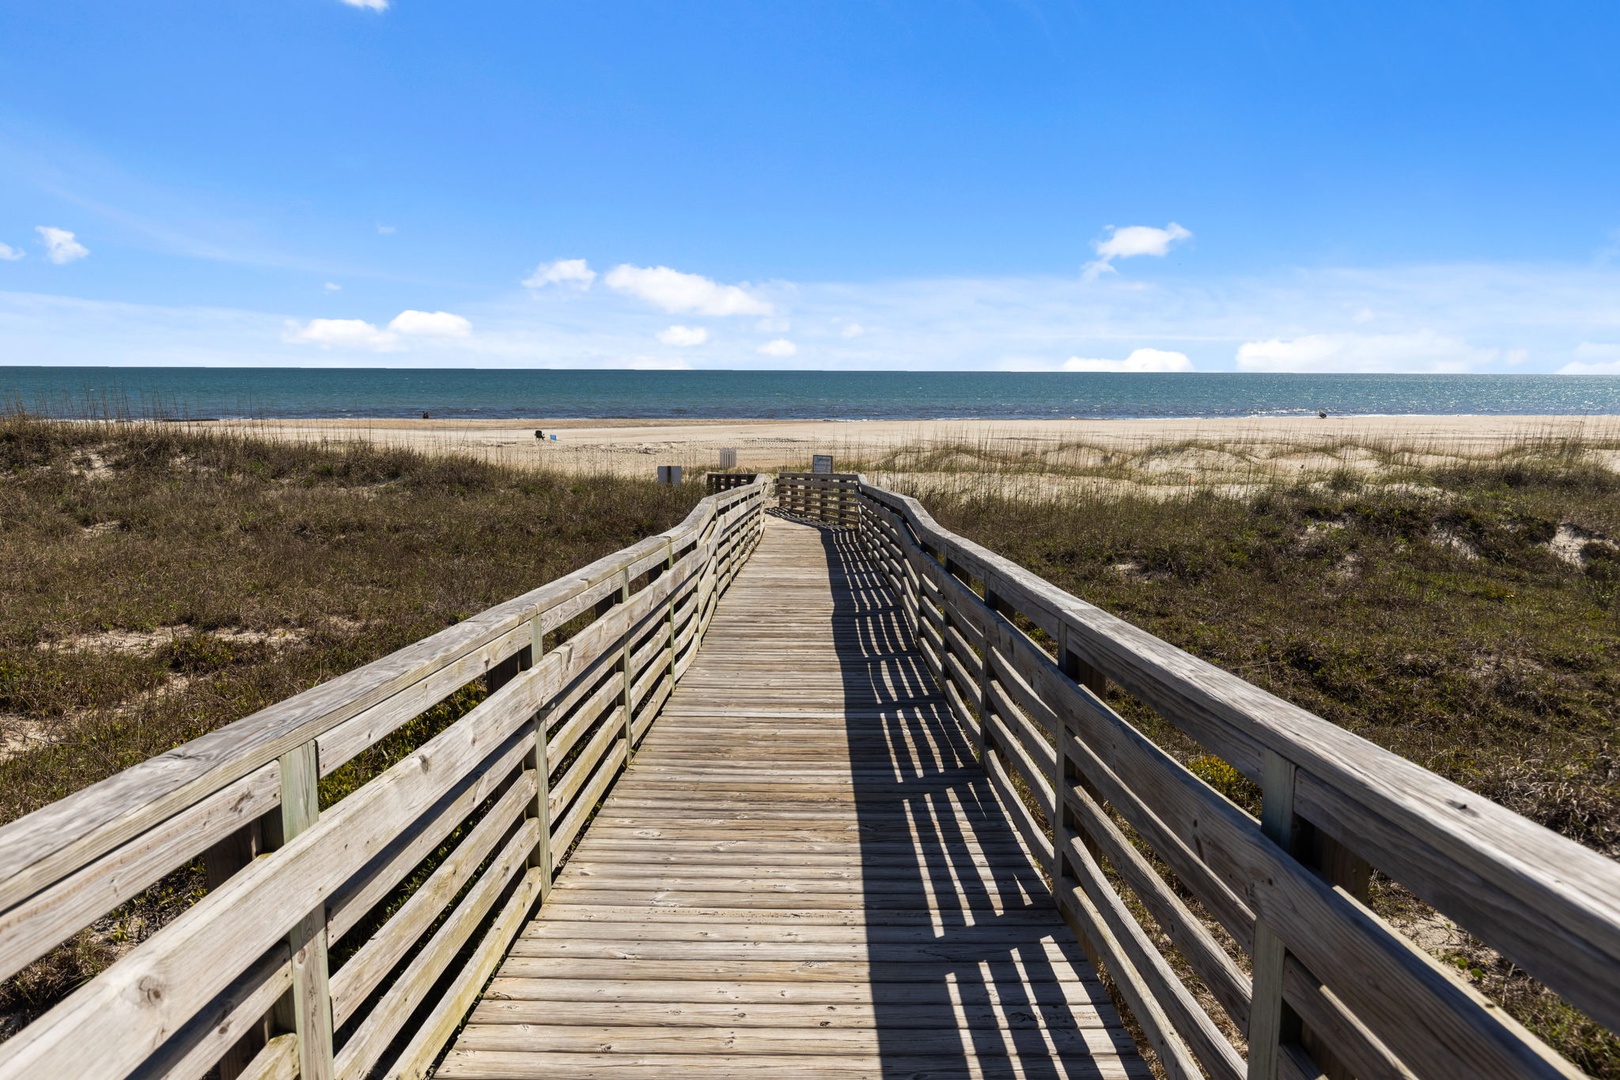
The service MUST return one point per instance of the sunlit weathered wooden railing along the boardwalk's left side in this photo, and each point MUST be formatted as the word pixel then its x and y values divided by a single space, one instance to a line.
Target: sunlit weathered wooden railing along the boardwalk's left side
pixel 414 885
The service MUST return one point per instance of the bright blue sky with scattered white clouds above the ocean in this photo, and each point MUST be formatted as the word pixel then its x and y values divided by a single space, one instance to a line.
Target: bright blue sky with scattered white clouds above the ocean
pixel 884 184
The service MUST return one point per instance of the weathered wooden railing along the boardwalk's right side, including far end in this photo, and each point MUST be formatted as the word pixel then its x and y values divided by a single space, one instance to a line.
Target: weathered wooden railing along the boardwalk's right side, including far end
pixel 1315 980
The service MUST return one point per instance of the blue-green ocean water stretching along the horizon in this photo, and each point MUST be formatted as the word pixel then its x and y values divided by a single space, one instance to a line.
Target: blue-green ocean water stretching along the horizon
pixel 553 394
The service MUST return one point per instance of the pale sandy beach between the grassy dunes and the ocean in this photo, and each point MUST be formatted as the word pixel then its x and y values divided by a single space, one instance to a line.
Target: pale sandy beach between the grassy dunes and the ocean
pixel 1154 446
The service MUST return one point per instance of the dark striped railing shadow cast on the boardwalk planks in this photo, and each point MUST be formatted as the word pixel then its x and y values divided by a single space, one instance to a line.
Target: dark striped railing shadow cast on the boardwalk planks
pixel 955 946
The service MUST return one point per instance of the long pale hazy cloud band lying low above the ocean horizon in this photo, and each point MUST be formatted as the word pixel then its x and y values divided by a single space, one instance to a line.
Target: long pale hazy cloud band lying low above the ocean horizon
pixel 1428 318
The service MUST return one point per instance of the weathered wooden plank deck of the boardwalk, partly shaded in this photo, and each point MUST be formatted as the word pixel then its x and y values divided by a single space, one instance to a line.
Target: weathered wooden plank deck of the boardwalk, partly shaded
pixel 803 874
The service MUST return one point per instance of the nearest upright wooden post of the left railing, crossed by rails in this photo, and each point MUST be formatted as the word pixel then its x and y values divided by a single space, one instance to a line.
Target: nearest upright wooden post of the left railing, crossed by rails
pixel 307 1011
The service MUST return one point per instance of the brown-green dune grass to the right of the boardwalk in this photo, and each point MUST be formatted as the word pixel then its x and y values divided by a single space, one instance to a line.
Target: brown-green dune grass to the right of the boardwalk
pixel 1465 618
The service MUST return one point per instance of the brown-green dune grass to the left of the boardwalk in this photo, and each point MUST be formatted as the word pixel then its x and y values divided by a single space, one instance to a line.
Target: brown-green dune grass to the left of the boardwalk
pixel 168 580
